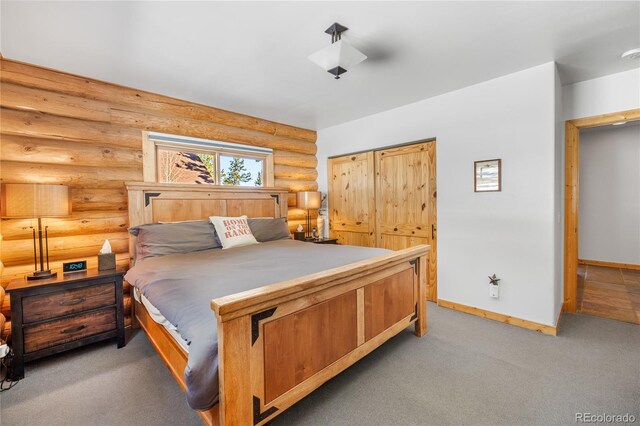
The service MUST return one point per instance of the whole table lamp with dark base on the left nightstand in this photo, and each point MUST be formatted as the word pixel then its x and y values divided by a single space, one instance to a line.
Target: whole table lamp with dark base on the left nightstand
pixel 36 201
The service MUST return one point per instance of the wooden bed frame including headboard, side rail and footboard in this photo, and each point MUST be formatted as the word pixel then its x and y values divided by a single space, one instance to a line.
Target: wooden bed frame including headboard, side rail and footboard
pixel 280 342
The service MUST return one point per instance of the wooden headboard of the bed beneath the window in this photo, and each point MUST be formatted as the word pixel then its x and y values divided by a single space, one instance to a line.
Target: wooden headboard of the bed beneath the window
pixel 170 202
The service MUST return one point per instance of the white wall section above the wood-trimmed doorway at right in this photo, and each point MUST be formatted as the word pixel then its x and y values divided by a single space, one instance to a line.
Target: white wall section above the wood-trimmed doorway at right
pixel 611 93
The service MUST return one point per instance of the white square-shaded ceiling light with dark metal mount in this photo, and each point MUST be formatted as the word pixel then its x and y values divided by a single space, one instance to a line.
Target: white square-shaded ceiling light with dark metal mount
pixel 339 56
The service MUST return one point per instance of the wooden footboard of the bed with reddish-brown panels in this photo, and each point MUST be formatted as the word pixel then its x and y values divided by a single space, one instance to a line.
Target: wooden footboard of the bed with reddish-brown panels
pixel 279 343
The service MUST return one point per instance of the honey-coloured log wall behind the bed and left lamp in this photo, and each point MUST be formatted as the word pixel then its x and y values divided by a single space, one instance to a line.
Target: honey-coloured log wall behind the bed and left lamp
pixel 61 128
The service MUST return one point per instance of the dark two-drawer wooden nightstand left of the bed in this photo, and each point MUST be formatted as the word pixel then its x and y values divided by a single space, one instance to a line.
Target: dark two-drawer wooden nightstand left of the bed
pixel 66 312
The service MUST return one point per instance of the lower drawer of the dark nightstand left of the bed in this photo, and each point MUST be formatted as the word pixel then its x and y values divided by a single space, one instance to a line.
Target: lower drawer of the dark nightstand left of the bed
pixel 66 330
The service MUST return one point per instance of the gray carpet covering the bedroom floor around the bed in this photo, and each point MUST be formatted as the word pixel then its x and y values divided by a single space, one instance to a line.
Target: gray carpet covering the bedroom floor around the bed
pixel 467 370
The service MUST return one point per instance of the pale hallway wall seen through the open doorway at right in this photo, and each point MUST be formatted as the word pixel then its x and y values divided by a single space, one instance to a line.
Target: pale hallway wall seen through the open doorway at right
pixel 609 224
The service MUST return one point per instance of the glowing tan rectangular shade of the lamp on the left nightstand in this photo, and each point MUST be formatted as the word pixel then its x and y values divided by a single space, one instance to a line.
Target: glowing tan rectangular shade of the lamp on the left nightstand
pixel 32 200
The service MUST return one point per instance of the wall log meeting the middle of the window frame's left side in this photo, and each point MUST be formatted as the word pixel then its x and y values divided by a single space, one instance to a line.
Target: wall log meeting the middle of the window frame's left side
pixel 51 151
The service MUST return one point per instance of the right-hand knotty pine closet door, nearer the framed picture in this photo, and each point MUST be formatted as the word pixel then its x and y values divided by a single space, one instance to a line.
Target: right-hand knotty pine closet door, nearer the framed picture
pixel 405 199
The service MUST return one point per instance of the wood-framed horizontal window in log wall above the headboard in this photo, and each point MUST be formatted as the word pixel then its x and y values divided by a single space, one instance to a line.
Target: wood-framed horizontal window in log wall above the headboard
pixel 179 159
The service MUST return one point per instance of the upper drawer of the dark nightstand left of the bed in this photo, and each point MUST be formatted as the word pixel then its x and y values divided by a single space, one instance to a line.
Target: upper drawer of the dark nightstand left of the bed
pixel 45 306
